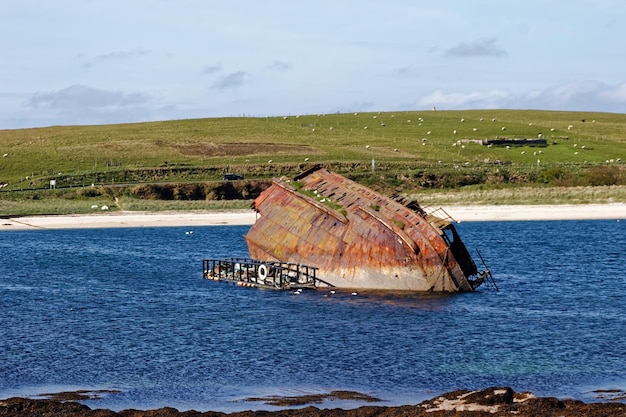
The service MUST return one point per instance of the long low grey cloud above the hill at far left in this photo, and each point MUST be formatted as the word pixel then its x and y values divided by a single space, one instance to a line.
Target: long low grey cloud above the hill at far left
pixel 80 96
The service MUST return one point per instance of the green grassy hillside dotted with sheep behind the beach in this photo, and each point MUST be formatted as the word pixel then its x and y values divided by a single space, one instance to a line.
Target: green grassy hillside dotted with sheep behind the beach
pixel 180 164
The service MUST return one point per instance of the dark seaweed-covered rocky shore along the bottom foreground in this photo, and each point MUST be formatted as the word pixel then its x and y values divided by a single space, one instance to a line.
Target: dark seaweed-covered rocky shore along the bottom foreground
pixel 492 402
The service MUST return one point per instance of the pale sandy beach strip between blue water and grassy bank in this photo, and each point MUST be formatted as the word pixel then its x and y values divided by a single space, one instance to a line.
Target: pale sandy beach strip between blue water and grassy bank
pixel 615 211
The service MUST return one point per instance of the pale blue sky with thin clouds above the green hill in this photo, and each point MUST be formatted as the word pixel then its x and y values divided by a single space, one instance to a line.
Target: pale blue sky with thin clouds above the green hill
pixel 85 62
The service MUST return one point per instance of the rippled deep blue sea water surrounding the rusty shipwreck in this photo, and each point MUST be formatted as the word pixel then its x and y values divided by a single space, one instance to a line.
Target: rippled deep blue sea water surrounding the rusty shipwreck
pixel 128 309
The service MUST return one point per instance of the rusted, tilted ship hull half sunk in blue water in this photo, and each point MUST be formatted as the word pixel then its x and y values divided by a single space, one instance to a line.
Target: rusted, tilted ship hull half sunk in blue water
pixel 358 238
